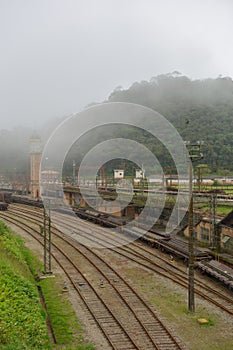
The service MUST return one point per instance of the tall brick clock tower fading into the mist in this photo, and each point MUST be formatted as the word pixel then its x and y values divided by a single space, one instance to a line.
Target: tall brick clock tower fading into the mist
pixel 35 159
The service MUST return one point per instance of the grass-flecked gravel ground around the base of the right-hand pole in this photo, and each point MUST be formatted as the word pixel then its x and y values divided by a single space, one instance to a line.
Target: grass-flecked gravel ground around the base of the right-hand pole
pixel 170 302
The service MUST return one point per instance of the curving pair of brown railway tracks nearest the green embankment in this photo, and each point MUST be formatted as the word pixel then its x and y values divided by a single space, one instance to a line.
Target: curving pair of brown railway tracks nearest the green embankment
pixel 123 316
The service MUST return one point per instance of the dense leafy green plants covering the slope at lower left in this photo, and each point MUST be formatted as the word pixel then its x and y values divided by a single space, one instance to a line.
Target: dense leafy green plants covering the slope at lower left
pixel 22 318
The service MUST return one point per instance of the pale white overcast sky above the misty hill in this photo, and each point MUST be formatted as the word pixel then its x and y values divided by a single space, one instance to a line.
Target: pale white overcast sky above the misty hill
pixel 56 56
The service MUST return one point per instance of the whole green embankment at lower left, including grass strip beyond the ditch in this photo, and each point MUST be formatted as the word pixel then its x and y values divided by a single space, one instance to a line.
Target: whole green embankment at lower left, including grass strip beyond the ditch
pixel 22 318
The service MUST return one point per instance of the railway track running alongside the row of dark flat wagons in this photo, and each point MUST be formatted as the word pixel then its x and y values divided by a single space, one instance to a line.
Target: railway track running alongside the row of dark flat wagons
pixel 144 256
